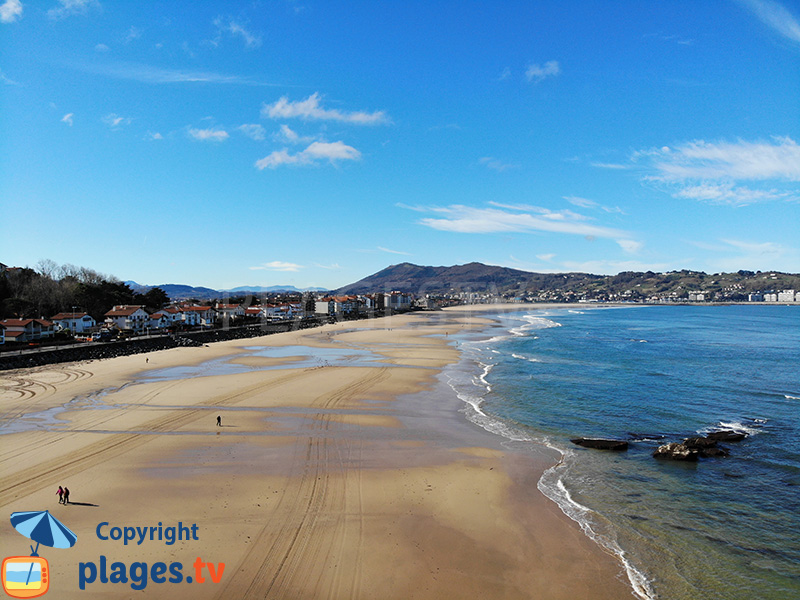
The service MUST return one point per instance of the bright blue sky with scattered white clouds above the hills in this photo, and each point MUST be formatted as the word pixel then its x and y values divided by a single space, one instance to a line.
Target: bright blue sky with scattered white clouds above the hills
pixel 315 142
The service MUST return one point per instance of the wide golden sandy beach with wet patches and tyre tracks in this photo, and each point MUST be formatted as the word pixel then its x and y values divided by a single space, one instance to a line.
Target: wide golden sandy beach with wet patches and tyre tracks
pixel 342 469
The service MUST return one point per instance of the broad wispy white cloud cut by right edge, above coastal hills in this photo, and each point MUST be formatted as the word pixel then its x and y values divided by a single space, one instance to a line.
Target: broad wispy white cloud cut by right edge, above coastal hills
pixel 715 172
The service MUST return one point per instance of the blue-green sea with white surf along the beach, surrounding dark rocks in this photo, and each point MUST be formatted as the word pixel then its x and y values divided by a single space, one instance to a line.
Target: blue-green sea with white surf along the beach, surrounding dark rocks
pixel 721 528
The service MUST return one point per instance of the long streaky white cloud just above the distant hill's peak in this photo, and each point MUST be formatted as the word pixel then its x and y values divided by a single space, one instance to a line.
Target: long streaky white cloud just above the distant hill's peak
pixel 467 219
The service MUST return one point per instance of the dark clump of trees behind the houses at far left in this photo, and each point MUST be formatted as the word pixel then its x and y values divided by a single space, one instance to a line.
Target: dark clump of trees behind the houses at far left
pixel 51 288
